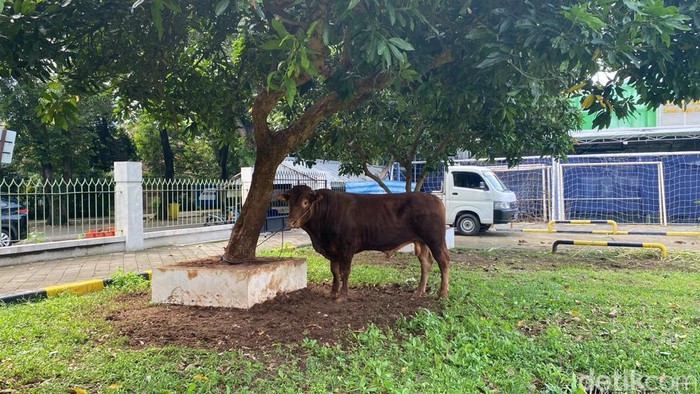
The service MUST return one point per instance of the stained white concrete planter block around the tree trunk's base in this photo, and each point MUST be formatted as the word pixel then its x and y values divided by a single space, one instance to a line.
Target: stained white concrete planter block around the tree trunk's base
pixel 223 285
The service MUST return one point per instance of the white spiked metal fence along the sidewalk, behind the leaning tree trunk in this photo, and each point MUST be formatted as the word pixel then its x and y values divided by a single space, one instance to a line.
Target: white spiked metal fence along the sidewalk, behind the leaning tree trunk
pixel 85 208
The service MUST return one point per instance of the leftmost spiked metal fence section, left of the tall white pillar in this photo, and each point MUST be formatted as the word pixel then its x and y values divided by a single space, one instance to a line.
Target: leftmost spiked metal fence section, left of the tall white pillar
pixel 41 211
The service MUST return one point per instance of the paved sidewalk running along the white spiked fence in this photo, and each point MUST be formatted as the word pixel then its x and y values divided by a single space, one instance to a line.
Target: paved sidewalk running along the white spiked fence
pixel 34 276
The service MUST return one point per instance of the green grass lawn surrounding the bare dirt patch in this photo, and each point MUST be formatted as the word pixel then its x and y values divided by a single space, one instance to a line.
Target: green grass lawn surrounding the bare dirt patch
pixel 547 329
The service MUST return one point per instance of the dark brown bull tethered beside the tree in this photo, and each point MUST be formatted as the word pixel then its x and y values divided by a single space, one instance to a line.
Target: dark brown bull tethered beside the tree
pixel 343 224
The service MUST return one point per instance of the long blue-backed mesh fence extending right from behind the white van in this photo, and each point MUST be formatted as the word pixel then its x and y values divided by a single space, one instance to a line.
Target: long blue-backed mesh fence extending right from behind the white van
pixel 641 188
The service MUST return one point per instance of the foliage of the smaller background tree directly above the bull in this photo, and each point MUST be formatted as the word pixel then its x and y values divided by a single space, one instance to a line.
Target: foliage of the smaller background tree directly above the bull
pixel 422 125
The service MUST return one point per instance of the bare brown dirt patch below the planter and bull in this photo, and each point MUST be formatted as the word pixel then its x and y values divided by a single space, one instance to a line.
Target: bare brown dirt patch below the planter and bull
pixel 286 319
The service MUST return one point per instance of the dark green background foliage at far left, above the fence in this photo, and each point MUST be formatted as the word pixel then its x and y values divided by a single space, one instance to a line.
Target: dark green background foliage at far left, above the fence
pixel 87 142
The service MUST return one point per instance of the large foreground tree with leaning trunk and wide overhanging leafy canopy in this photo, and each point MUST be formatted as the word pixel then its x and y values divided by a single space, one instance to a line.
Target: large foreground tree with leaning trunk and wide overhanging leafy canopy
pixel 500 70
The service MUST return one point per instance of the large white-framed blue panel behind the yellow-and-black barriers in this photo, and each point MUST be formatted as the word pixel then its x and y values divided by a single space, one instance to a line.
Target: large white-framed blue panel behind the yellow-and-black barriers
pixel 627 192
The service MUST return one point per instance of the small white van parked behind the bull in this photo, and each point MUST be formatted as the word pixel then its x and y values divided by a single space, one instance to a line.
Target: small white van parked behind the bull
pixel 475 199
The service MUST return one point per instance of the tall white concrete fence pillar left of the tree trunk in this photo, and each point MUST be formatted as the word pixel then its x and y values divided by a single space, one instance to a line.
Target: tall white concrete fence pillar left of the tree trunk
pixel 128 203
